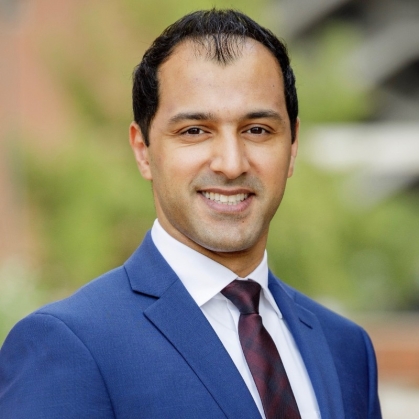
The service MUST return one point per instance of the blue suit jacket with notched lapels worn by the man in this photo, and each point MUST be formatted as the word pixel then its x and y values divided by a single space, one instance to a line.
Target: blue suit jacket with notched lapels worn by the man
pixel 134 344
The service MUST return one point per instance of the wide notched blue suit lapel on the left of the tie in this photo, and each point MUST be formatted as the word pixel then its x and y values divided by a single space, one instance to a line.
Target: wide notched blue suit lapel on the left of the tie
pixel 176 315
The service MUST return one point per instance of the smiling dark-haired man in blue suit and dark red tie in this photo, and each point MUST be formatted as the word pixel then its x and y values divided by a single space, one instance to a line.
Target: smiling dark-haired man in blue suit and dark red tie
pixel 177 332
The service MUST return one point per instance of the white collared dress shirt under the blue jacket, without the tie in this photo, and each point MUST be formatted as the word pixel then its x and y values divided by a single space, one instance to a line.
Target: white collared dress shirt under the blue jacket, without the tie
pixel 204 279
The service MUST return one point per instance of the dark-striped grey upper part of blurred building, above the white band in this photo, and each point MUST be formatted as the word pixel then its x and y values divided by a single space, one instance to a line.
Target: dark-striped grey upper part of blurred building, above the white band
pixel 388 59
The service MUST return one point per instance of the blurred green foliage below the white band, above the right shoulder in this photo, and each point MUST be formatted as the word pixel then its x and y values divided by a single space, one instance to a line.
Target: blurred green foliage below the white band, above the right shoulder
pixel 355 257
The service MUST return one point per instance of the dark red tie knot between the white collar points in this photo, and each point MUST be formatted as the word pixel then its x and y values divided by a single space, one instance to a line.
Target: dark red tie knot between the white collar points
pixel 244 295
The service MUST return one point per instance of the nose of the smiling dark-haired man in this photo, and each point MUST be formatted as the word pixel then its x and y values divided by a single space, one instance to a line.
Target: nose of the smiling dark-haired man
pixel 229 156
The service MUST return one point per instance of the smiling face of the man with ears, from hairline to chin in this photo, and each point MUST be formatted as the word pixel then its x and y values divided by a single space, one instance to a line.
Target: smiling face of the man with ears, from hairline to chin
pixel 220 148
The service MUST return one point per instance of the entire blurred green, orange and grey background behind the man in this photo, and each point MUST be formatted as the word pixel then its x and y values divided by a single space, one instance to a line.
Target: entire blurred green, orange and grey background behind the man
pixel 73 204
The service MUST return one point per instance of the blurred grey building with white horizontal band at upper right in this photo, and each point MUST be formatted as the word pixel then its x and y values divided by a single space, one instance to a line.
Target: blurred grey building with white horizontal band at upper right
pixel 384 150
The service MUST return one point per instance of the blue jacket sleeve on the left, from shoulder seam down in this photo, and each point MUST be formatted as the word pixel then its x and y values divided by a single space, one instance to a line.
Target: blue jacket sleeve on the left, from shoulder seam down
pixel 47 372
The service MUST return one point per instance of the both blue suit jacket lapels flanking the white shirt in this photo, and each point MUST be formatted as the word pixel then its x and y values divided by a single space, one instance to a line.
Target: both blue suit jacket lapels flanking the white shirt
pixel 181 321
